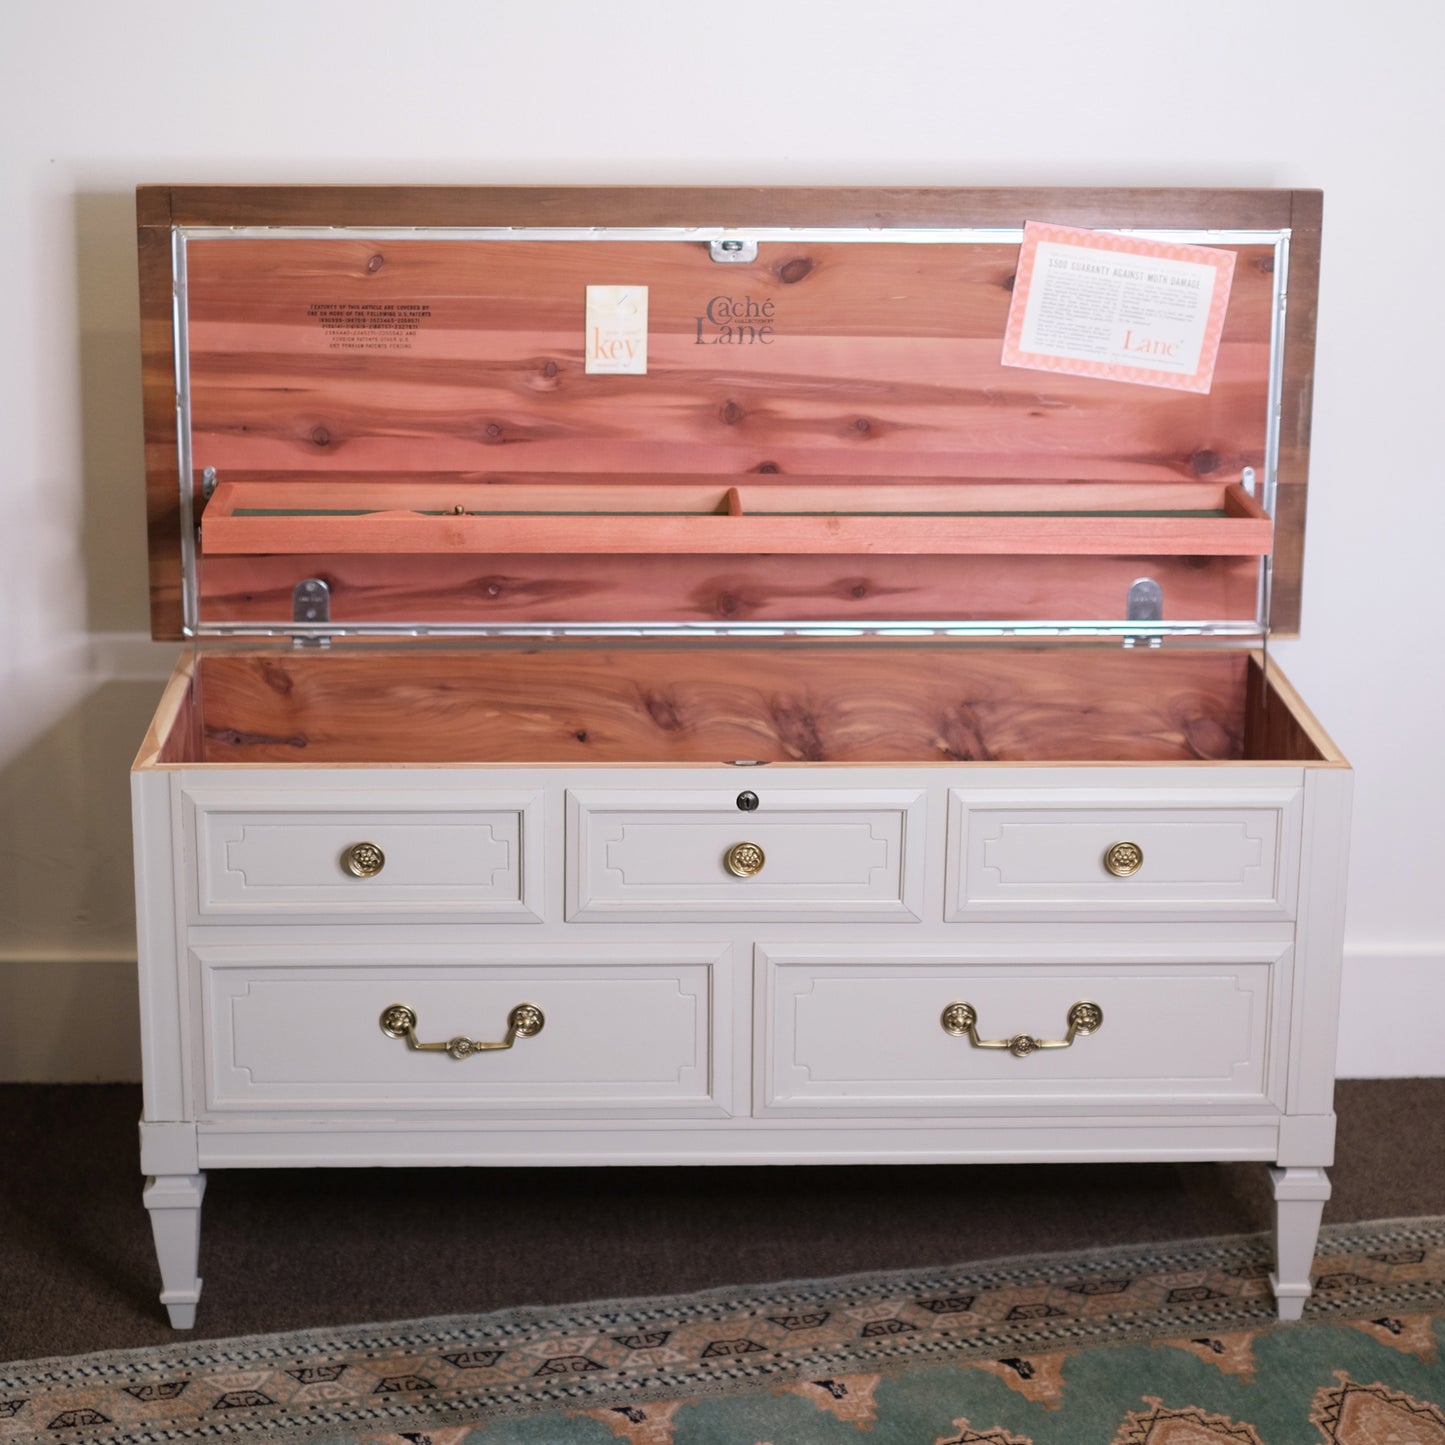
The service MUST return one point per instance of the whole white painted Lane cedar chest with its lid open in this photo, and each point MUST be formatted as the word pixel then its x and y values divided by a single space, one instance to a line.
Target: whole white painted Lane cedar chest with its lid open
pixel 821 745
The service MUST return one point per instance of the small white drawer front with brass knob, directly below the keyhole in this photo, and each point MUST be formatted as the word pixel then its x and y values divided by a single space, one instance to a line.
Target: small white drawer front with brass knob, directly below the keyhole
pixel 821 855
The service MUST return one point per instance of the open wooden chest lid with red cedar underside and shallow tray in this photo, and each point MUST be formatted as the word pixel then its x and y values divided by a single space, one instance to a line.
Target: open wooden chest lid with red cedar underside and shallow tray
pixel 379 404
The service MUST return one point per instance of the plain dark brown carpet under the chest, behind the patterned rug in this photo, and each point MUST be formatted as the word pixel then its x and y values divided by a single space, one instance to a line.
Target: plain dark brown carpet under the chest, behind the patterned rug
pixel 300 1249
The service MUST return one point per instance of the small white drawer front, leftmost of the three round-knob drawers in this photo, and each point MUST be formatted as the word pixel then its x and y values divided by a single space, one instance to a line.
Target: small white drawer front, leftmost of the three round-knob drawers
pixel 473 855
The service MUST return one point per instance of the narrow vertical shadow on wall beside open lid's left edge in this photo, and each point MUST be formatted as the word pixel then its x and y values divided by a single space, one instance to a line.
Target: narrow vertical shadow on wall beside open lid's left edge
pixel 113 530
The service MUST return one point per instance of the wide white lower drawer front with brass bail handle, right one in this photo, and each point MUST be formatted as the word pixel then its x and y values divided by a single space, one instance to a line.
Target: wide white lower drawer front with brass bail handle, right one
pixel 850 1032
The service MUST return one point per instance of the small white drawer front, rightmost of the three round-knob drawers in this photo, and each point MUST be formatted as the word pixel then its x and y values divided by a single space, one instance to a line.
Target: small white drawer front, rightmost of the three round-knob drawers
pixel 1204 853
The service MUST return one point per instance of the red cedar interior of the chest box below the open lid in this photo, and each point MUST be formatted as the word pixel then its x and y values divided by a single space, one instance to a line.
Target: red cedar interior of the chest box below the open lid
pixel 706 704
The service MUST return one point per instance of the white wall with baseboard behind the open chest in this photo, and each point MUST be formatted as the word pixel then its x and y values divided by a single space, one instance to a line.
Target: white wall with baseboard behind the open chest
pixel 96 98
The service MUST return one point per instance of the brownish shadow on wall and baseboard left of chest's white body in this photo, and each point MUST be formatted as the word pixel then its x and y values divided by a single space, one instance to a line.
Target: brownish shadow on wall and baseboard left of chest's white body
pixel 67 902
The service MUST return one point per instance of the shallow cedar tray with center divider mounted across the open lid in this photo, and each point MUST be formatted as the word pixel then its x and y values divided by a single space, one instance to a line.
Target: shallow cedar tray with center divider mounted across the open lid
pixel 830 518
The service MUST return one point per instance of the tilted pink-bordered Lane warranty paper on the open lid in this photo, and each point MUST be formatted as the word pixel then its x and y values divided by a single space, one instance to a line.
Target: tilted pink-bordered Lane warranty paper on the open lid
pixel 1119 309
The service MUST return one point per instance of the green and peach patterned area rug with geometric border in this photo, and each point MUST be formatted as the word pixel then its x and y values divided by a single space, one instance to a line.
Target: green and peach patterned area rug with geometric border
pixel 1149 1346
